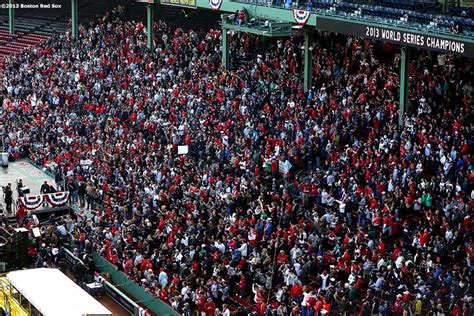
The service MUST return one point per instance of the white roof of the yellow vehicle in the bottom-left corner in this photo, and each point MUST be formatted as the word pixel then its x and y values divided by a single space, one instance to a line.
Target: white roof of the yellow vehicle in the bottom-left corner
pixel 54 294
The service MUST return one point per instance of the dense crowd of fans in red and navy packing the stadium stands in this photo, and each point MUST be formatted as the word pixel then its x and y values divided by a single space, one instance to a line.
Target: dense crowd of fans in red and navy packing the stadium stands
pixel 287 203
